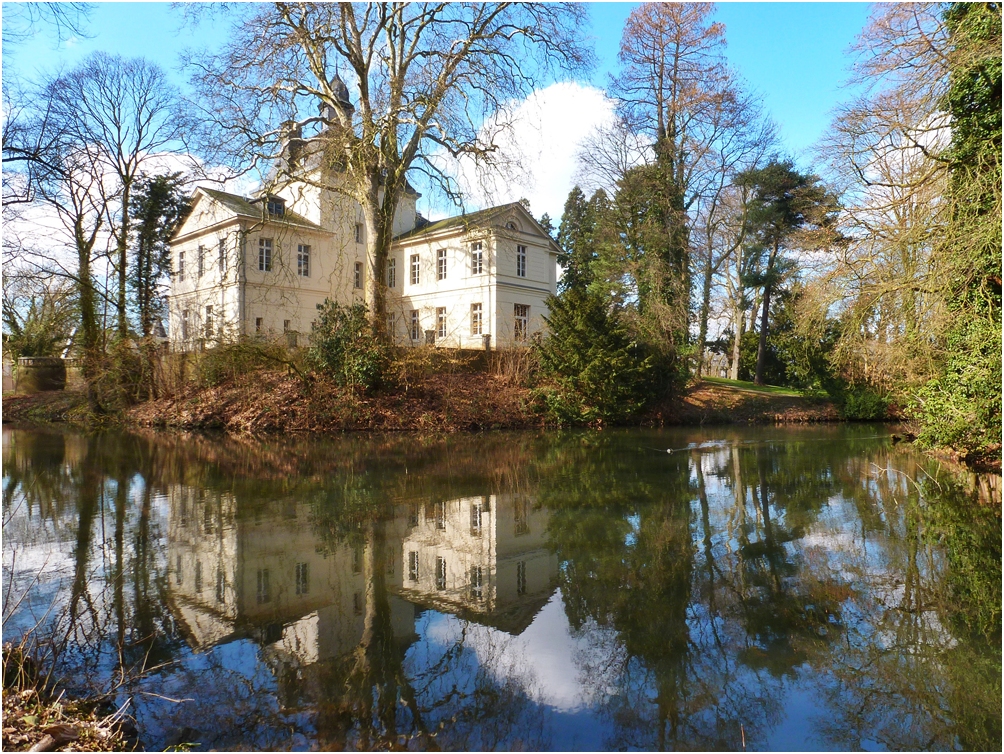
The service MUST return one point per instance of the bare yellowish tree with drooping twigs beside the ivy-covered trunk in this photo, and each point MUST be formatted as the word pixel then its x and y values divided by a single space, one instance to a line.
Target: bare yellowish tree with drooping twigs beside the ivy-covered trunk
pixel 886 149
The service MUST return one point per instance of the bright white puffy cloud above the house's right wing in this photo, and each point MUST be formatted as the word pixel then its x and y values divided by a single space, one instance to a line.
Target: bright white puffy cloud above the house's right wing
pixel 548 131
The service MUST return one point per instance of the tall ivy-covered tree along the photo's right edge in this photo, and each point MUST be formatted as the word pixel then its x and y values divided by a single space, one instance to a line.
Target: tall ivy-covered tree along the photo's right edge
pixel 961 407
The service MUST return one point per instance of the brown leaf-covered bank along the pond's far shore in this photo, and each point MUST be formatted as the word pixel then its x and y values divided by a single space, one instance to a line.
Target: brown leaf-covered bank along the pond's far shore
pixel 269 402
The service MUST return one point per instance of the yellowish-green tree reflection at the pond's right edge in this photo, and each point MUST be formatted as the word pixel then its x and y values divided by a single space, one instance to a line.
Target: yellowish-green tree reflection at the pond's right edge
pixel 953 698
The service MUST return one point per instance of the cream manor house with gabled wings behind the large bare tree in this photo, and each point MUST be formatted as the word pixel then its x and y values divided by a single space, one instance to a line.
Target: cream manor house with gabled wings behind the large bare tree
pixel 263 267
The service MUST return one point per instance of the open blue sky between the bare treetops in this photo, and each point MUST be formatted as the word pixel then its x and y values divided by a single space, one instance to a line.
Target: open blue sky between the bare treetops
pixel 795 55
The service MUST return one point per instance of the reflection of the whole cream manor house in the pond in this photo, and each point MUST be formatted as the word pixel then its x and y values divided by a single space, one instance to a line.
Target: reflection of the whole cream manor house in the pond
pixel 270 577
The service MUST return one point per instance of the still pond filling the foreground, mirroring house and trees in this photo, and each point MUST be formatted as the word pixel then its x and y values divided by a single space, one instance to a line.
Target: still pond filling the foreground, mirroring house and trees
pixel 790 589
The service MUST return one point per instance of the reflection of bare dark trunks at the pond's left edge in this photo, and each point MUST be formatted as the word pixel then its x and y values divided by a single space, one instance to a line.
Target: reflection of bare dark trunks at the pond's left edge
pixel 111 624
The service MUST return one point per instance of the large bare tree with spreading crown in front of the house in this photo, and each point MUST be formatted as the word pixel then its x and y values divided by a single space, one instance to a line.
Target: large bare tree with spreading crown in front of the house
pixel 428 81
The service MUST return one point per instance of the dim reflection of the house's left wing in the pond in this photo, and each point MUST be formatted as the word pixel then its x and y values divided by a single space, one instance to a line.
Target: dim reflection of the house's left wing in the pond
pixel 270 578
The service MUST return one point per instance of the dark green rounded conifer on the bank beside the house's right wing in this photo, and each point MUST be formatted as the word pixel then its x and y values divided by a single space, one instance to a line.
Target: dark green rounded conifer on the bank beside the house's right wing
pixel 599 372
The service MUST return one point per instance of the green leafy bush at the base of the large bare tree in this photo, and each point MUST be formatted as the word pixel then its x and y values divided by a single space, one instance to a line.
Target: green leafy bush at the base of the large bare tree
pixel 343 348
